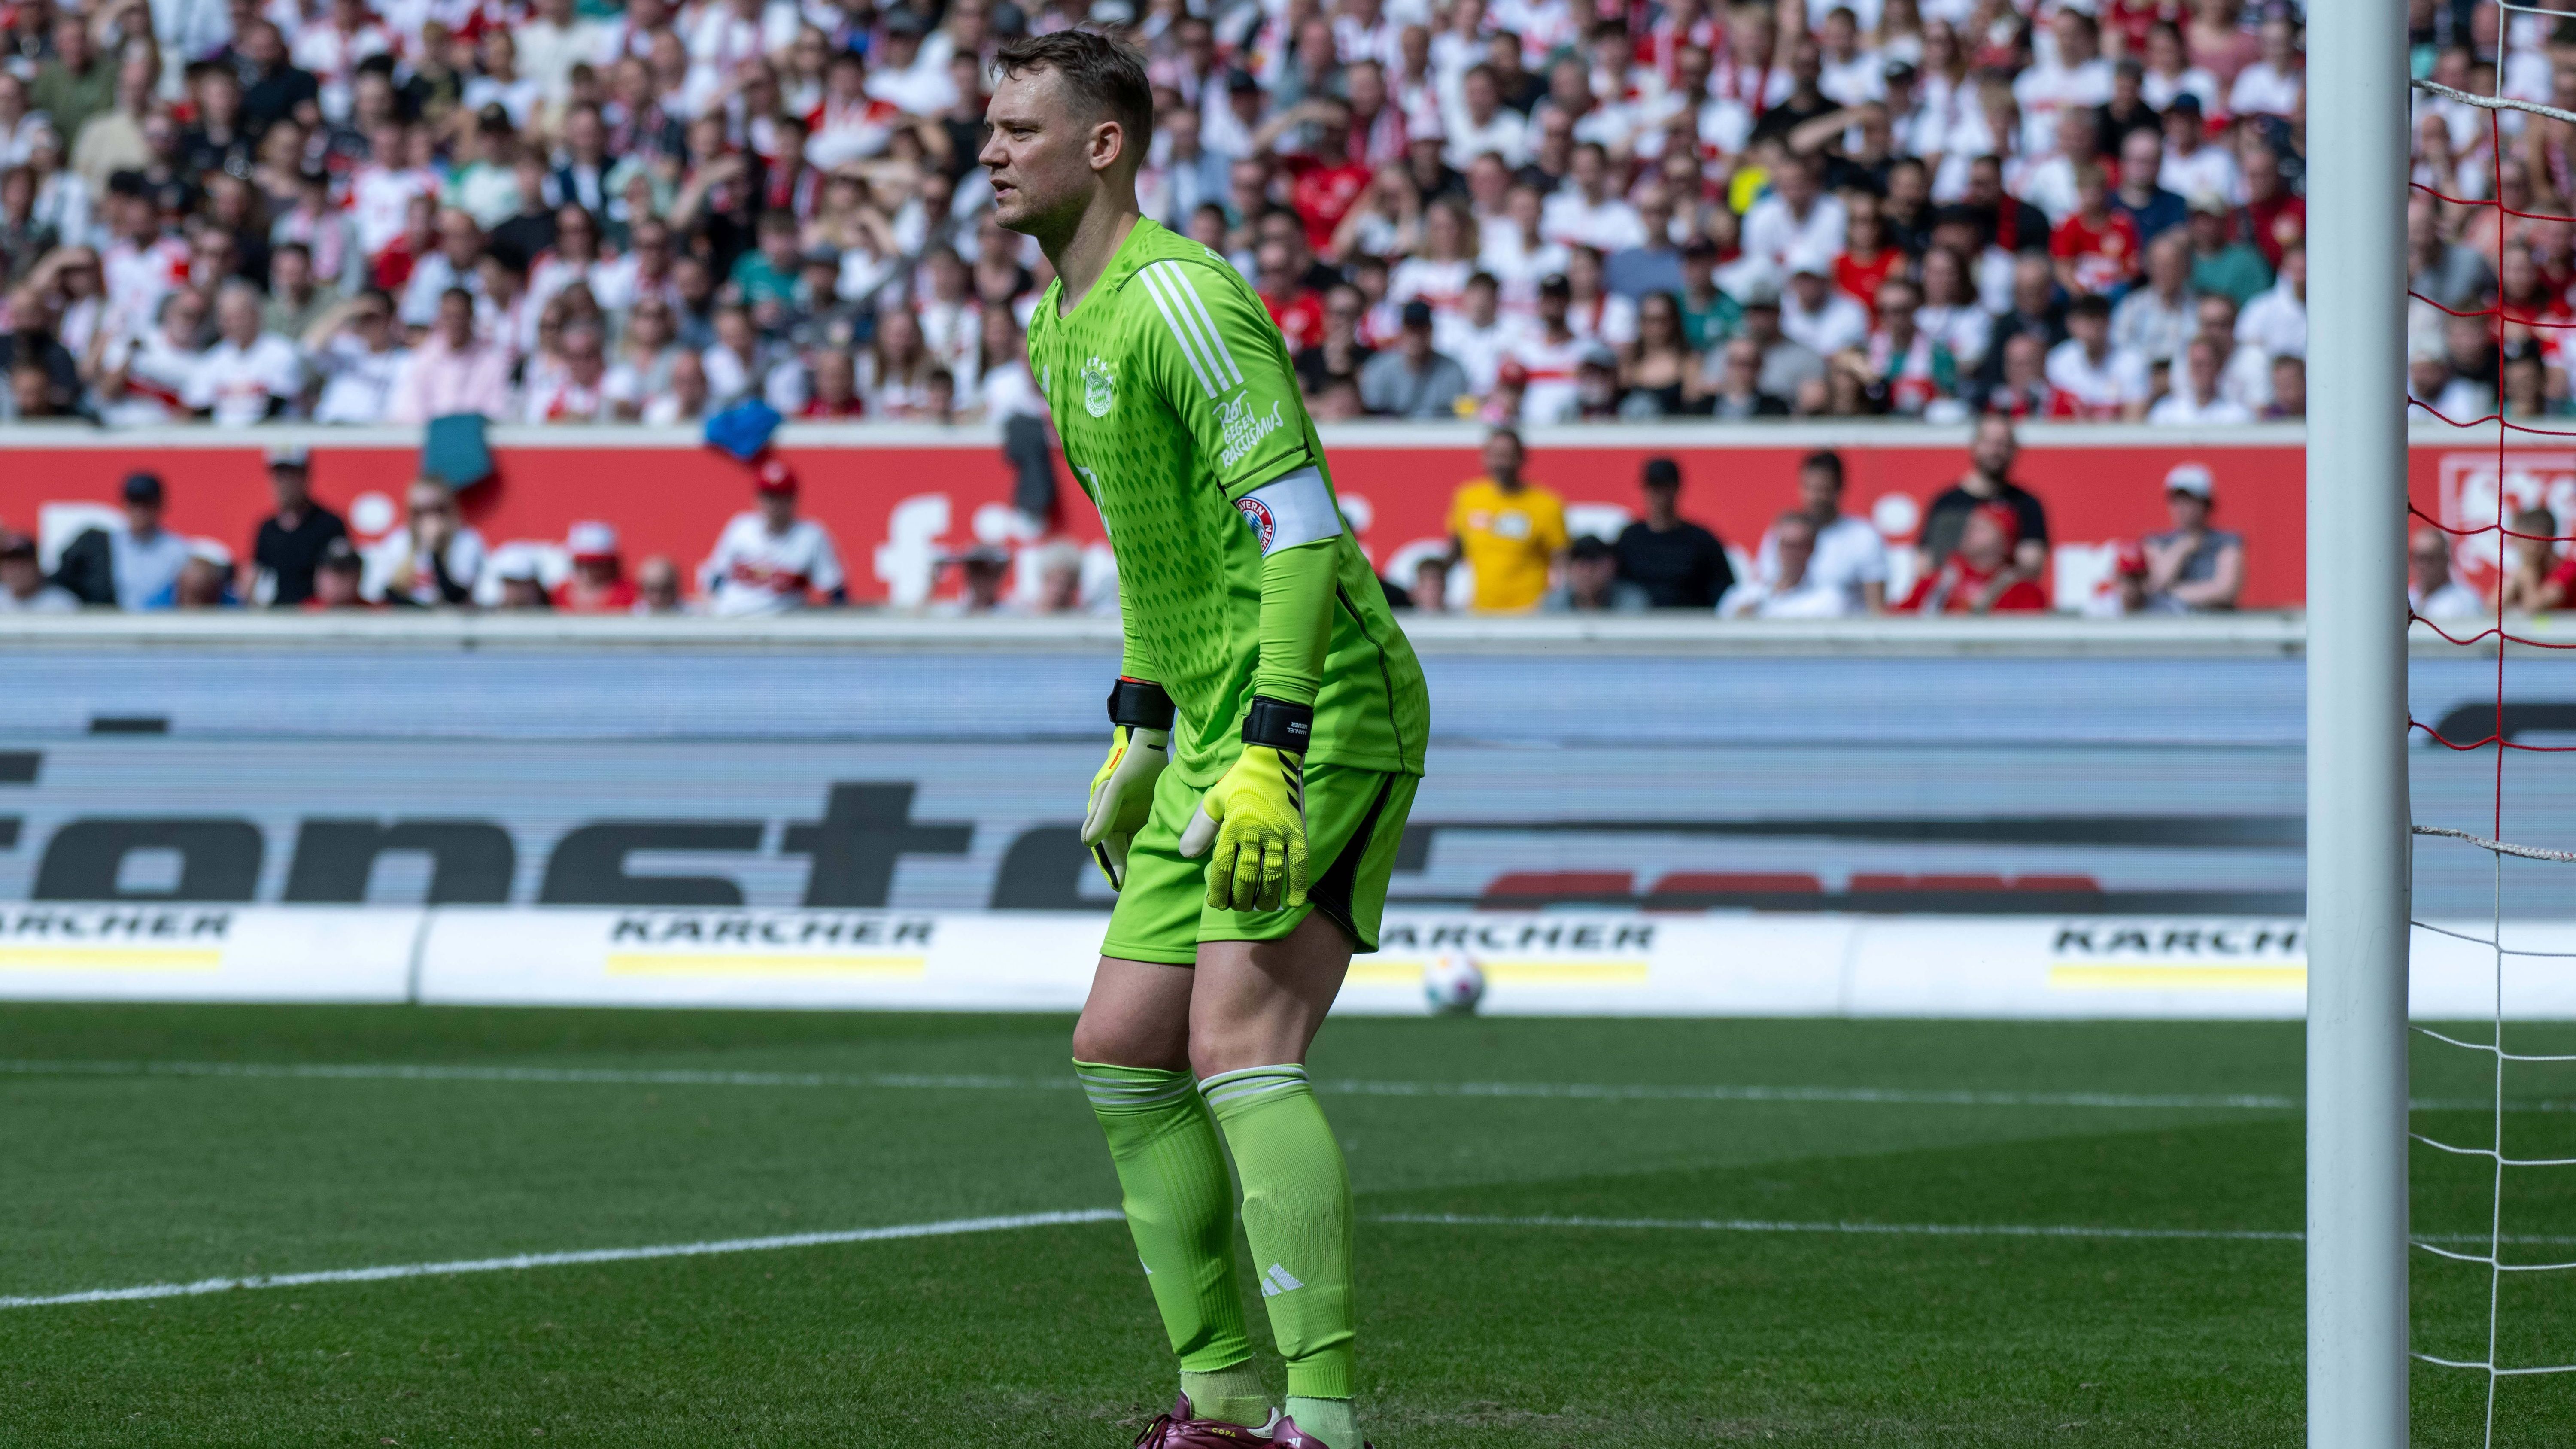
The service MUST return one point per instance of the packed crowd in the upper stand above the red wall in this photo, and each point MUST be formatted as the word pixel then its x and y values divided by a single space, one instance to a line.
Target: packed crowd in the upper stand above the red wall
pixel 1503 210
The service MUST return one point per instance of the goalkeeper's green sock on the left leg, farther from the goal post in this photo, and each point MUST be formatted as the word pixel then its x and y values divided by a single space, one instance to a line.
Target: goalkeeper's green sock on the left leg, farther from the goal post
pixel 1181 1211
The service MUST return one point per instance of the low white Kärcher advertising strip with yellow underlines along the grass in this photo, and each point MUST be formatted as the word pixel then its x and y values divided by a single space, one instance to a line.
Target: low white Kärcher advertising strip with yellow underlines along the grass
pixel 1562 963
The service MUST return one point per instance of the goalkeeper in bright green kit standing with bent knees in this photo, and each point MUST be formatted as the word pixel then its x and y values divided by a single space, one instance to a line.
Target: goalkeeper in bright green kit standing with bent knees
pixel 1266 739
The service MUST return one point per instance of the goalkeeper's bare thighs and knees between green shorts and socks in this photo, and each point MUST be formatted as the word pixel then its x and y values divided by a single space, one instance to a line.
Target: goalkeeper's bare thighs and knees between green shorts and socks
pixel 1248 1004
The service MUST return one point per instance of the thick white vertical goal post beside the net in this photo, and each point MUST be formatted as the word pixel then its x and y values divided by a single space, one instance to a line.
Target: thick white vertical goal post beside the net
pixel 2358 819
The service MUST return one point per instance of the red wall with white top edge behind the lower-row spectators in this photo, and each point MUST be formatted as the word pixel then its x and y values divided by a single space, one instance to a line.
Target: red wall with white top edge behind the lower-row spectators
pixel 900 499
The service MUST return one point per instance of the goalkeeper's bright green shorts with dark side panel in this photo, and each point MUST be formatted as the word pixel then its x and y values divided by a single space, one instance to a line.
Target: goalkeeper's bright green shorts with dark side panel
pixel 1354 829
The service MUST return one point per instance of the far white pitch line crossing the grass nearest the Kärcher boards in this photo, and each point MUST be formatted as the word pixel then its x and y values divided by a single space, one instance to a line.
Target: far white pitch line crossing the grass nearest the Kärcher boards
pixel 934 1082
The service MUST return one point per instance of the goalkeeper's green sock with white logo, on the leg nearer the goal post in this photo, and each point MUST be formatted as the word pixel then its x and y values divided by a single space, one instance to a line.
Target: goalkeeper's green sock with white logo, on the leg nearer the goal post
pixel 1297 1218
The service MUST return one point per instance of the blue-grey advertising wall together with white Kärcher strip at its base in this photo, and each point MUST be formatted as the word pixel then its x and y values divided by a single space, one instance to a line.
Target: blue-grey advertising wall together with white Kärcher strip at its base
pixel 1622 816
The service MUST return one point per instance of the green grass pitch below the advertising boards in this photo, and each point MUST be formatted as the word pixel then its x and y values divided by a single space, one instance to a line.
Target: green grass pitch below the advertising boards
pixel 1575 1231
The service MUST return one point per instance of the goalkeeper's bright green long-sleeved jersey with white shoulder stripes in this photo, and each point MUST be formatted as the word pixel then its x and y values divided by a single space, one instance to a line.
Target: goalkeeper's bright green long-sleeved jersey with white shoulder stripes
pixel 1184 422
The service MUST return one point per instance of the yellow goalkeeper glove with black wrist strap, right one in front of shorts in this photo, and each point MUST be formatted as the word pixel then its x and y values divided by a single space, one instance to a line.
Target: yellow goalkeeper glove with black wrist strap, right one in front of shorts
pixel 1256 813
